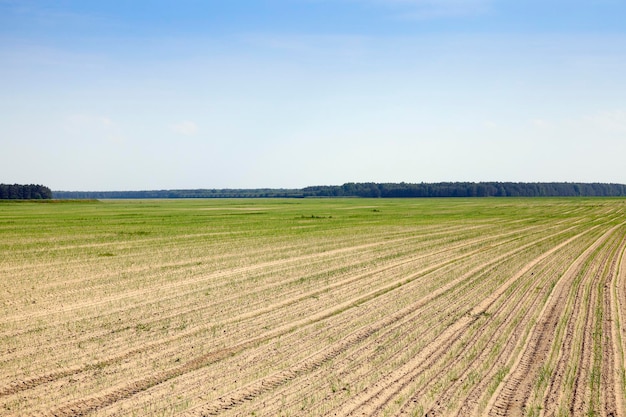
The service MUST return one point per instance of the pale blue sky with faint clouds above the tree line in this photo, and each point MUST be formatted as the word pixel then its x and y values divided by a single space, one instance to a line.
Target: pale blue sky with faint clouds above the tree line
pixel 148 95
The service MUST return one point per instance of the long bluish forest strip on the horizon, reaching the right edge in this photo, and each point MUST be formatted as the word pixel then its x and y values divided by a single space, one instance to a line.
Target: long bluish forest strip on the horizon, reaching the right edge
pixel 375 190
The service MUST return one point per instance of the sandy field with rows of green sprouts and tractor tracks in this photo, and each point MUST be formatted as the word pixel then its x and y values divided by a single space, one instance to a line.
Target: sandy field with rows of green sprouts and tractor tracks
pixel 313 307
